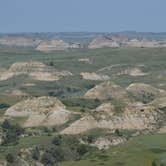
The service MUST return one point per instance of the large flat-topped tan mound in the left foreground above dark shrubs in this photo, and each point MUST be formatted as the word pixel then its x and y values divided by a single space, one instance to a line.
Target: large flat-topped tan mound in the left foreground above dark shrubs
pixel 42 111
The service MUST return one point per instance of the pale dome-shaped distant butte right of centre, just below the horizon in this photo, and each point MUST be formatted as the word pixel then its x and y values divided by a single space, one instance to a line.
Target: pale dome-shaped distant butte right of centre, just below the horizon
pixel 102 42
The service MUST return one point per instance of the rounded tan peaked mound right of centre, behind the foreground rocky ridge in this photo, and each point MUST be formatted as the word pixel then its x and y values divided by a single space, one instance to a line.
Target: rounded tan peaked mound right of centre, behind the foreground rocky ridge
pixel 107 90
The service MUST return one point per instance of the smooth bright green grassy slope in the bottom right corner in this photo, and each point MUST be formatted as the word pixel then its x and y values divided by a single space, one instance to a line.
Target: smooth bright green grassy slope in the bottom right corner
pixel 139 151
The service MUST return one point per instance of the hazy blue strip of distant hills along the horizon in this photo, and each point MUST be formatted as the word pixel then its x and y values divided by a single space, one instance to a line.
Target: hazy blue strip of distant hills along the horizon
pixel 87 36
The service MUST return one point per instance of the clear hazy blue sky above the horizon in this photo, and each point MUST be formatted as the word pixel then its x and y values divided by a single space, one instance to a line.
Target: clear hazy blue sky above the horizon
pixel 82 15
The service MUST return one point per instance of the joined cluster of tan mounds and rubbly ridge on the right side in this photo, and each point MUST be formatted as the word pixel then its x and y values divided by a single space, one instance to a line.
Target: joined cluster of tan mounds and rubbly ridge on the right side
pixel 133 114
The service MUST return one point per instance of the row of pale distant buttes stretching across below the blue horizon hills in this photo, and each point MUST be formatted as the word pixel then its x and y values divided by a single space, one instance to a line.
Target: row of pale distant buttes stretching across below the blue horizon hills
pixel 102 41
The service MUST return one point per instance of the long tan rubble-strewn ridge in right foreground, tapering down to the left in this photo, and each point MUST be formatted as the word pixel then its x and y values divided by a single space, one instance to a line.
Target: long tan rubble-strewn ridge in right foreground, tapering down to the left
pixel 134 117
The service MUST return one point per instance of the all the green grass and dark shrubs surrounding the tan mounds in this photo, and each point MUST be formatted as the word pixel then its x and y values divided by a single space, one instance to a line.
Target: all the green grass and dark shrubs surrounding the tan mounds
pixel 45 144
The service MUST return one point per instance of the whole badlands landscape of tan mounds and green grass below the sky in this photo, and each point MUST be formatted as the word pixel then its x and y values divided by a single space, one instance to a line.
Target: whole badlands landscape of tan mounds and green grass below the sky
pixel 113 96
